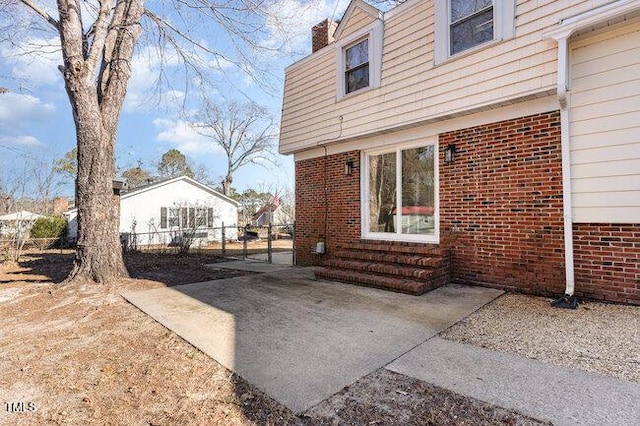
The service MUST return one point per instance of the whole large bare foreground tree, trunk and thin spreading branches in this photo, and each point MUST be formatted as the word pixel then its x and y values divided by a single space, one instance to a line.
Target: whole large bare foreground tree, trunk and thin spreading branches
pixel 98 39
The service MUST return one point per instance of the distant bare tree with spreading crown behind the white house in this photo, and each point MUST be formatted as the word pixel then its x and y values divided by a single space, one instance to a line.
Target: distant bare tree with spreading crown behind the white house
pixel 246 133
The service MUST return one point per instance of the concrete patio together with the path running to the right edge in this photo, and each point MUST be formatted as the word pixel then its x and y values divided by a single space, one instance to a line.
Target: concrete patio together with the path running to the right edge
pixel 301 340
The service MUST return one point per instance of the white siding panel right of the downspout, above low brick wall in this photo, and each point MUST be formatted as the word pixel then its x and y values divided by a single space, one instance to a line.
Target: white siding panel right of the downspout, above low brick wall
pixel 605 126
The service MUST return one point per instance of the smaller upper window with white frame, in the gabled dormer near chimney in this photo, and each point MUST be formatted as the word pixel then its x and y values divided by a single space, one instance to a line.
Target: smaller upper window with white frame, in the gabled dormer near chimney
pixel 359 60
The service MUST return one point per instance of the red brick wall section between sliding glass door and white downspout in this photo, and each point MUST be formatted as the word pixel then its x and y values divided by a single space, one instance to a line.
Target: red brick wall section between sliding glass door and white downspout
pixel 501 205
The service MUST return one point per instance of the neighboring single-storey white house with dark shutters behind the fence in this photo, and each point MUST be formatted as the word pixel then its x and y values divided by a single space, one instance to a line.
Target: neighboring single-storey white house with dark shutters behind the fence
pixel 163 211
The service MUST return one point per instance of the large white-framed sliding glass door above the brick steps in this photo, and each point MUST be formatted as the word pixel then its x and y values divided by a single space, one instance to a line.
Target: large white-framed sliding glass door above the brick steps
pixel 400 194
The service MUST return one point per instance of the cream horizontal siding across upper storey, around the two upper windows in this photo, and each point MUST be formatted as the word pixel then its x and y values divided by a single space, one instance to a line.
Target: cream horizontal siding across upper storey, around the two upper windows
pixel 412 90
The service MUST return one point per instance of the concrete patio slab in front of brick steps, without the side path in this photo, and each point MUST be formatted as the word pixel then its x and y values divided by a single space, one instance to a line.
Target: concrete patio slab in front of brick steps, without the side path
pixel 301 340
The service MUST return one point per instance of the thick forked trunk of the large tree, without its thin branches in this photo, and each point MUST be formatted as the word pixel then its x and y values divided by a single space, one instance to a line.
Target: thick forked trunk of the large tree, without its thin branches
pixel 96 95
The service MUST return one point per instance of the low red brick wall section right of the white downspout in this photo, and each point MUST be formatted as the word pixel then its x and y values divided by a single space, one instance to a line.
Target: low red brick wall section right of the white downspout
pixel 606 259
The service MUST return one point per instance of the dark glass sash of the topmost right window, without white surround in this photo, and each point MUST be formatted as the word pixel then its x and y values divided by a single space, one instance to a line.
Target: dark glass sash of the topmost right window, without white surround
pixel 471 24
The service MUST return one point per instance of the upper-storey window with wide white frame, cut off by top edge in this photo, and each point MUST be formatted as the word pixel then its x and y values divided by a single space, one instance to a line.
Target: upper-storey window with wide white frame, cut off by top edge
pixel 462 25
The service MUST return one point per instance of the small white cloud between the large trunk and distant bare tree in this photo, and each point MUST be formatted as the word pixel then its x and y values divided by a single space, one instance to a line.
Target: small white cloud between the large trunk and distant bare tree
pixel 180 134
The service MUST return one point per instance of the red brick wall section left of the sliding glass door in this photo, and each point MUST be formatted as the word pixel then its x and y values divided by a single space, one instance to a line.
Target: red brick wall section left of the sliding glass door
pixel 342 204
